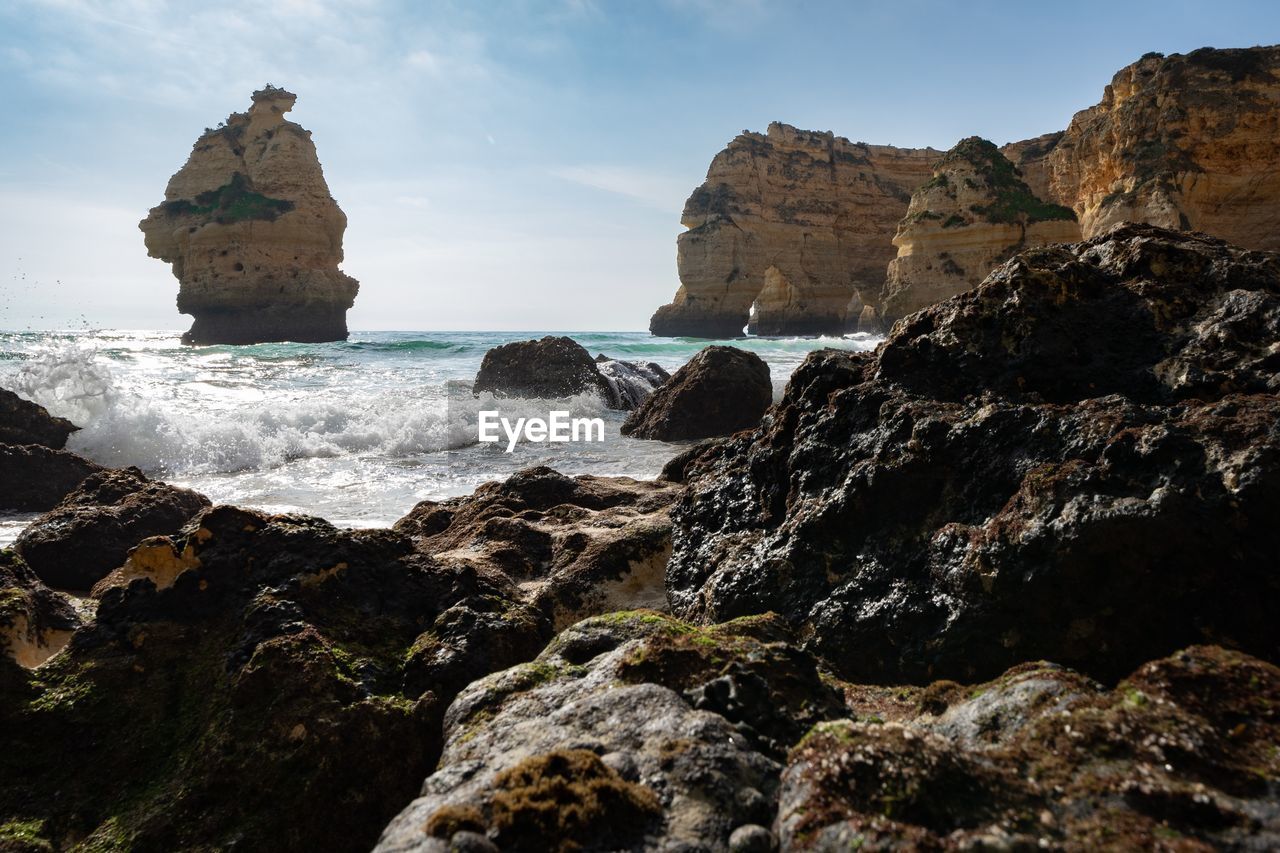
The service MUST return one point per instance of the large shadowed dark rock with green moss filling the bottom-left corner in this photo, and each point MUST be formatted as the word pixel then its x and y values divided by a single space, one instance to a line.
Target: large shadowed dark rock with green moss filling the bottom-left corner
pixel 253 696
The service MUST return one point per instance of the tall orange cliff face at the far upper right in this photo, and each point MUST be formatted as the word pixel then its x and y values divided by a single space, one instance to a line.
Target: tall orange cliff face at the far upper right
pixel 1185 142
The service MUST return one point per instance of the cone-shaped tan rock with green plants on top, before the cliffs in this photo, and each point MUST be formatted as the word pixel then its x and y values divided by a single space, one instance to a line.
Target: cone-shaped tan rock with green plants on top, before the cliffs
pixel 971 217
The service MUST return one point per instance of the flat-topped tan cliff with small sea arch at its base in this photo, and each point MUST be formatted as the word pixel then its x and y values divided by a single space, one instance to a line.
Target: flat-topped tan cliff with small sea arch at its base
pixel 796 223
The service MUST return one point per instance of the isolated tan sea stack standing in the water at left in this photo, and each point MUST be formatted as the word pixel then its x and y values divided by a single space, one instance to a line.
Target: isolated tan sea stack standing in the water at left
pixel 253 234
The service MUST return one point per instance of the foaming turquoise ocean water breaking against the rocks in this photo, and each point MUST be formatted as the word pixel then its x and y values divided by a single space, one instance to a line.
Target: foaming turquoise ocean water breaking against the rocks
pixel 354 432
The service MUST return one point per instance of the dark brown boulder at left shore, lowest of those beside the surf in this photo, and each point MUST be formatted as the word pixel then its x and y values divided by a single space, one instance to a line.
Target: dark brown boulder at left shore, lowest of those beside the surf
pixel 92 532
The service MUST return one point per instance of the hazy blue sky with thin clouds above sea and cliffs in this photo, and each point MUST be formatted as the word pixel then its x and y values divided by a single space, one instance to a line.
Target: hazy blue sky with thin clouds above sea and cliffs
pixel 506 166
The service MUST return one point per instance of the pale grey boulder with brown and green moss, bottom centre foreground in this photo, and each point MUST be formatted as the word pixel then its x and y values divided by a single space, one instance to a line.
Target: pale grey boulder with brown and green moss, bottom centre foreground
pixel 630 732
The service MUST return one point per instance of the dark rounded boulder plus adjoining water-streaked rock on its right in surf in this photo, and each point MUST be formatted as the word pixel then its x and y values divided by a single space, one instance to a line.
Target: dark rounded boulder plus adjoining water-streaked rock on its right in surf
pixel 560 367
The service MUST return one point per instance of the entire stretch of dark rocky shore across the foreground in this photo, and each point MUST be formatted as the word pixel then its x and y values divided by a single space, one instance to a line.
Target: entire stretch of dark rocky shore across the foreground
pixel 1009 582
